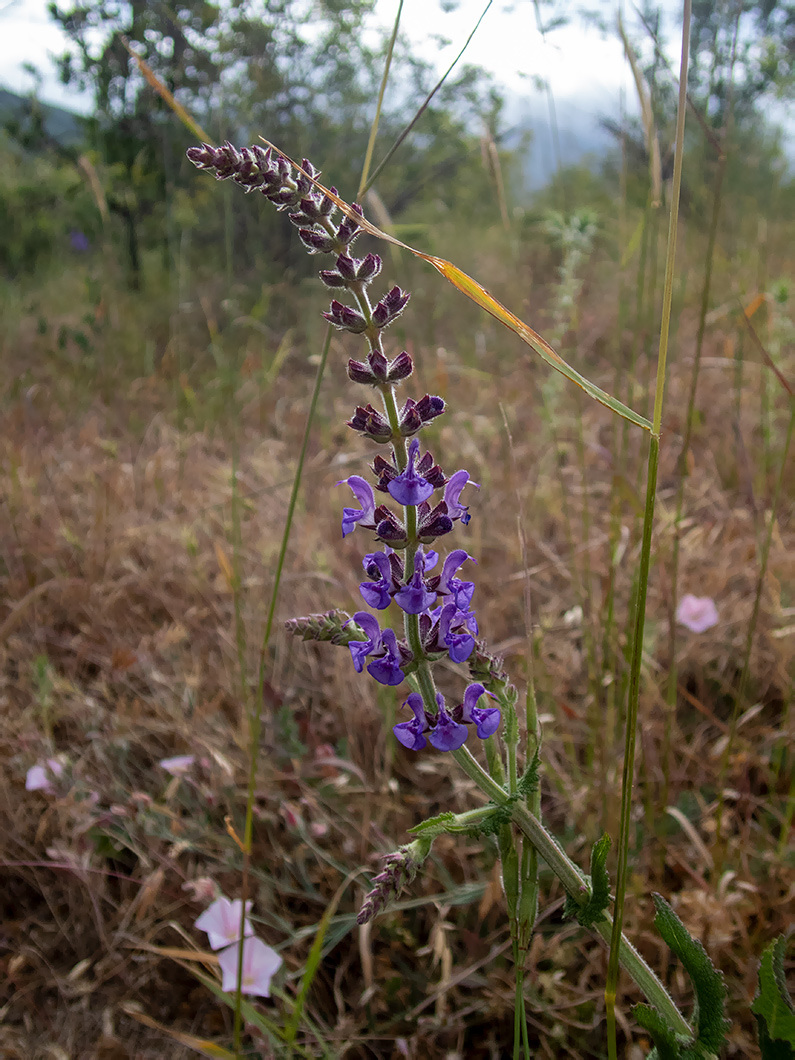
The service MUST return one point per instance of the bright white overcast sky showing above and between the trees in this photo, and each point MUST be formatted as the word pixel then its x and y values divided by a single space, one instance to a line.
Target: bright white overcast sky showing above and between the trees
pixel 577 61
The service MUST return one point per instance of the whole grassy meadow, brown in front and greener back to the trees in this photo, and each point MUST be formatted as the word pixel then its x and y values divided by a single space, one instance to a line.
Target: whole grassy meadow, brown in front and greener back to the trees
pixel 150 445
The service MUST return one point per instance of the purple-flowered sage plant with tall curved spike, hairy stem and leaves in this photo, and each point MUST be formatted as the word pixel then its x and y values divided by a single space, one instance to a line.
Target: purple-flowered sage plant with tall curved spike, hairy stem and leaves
pixel 411 507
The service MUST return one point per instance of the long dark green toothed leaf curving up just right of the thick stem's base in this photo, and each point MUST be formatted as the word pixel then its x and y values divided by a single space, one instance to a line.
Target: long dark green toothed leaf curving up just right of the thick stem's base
pixel 711 991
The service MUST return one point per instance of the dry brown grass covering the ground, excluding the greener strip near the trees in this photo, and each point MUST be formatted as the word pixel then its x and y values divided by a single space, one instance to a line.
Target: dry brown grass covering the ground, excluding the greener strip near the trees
pixel 119 649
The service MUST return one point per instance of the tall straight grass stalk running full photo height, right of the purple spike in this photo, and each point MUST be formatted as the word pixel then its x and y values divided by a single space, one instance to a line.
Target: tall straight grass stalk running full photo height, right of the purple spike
pixel 632 714
